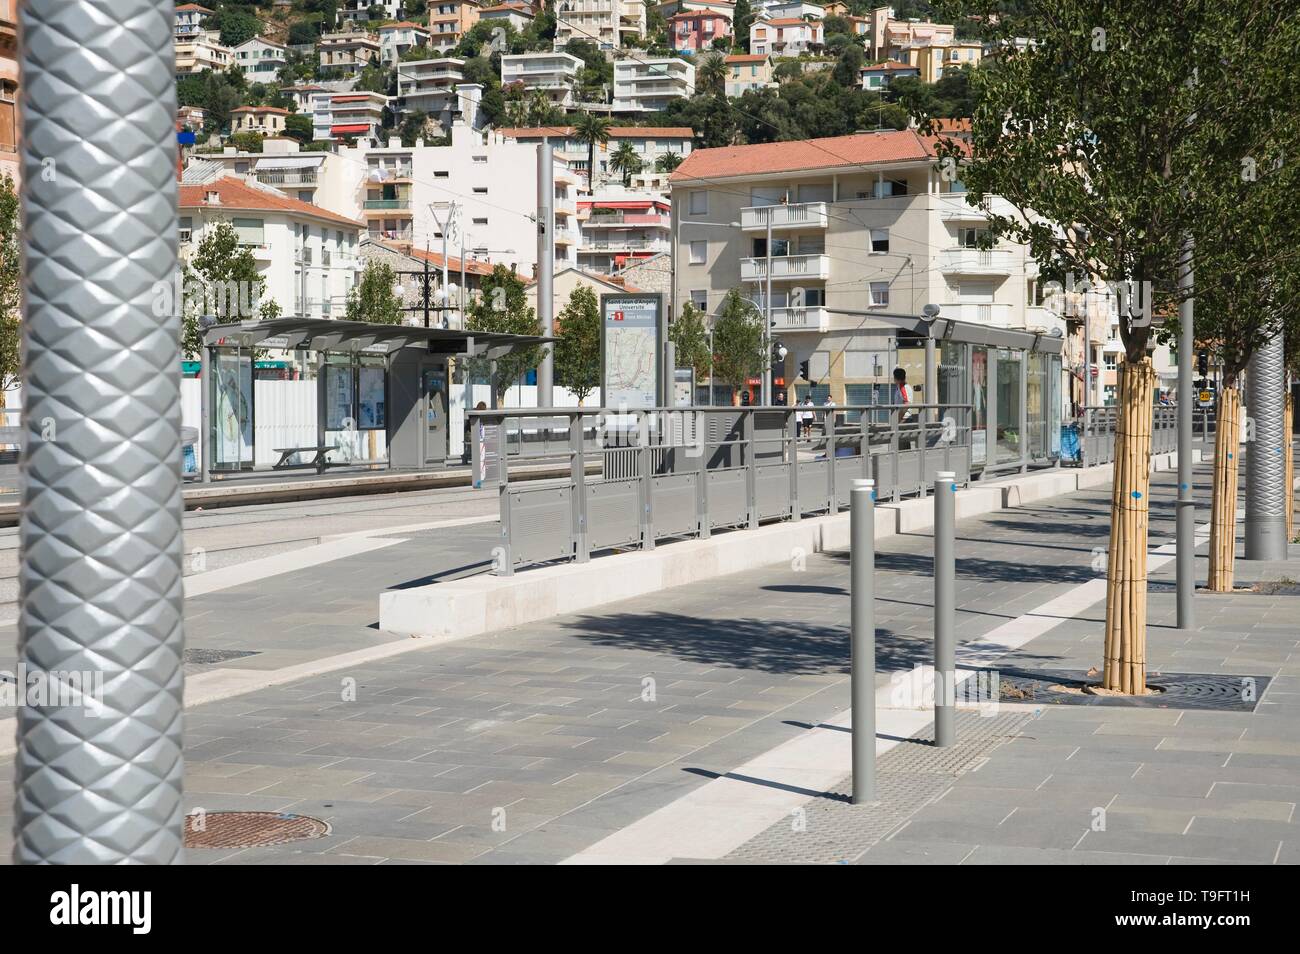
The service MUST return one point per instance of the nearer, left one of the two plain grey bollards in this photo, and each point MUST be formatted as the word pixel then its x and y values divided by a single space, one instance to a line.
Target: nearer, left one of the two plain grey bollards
pixel 863 641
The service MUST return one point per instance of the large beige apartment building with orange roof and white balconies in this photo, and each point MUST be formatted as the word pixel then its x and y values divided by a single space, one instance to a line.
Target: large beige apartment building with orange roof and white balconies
pixel 859 223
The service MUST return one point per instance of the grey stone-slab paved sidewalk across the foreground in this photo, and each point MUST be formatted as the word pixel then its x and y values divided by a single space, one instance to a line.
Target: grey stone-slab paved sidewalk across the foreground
pixel 535 744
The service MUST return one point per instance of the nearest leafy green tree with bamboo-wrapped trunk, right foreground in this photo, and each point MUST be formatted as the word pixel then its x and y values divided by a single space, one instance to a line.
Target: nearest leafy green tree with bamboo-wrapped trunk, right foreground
pixel 1098 135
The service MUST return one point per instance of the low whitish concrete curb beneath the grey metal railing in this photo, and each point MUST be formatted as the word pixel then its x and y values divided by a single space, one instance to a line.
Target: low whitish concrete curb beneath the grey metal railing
pixel 483 605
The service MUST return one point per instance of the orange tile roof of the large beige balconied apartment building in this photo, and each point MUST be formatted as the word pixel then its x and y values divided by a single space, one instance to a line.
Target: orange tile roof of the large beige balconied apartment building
pixel 834 153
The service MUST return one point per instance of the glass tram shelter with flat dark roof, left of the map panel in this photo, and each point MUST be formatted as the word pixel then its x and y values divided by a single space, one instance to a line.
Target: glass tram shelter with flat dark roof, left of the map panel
pixel 387 381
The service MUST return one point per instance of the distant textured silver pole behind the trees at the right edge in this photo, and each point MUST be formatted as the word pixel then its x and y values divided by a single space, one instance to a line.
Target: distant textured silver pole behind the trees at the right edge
pixel 1266 465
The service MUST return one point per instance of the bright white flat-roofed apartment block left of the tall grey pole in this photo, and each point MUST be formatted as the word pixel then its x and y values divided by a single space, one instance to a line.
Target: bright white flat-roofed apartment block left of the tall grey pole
pixel 404 194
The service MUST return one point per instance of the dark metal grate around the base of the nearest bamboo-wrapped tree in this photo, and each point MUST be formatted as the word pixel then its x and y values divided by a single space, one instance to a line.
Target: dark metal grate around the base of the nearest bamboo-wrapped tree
pixel 1177 691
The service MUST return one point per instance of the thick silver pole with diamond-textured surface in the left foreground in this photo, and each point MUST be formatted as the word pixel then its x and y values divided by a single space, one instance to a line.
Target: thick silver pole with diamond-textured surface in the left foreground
pixel 101 535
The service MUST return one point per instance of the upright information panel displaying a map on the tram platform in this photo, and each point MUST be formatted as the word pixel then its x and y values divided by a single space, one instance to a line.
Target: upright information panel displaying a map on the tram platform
pixel 632 333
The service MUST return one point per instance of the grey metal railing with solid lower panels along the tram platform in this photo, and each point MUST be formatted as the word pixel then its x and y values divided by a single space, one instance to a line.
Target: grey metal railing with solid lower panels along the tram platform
pixel 686 472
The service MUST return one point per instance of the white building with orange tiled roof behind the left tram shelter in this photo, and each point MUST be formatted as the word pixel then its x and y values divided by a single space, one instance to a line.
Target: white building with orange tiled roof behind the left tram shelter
pixel 309 258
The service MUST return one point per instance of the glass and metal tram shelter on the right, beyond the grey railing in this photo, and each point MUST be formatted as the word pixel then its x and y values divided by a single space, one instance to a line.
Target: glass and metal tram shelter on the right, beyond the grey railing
pixel 1011 379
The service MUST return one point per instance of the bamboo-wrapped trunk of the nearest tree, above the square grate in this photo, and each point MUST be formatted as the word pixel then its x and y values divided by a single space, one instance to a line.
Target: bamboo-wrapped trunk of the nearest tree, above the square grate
pixel 1126 566
